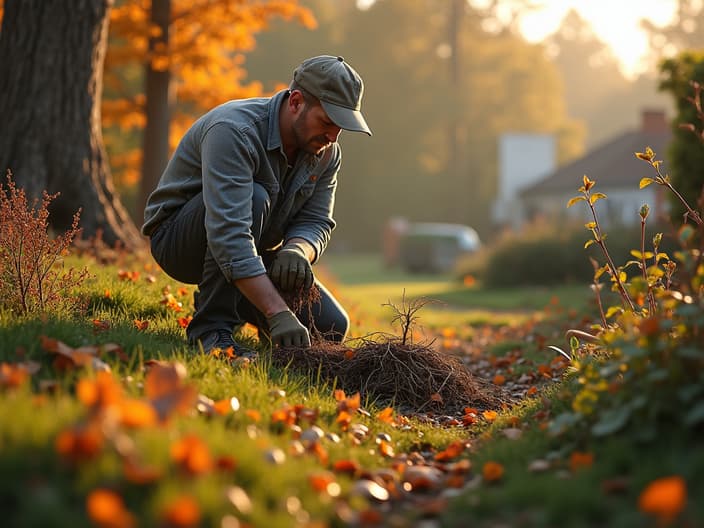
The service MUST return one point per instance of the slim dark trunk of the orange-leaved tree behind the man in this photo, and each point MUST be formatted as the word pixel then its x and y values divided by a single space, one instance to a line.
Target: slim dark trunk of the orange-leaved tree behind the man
pixel 159 96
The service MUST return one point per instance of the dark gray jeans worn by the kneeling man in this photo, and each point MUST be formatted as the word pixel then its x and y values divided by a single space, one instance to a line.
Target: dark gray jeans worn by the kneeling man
pixel 180 247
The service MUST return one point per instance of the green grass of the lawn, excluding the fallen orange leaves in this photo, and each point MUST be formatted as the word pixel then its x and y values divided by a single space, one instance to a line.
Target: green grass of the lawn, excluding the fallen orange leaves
pixel 40 487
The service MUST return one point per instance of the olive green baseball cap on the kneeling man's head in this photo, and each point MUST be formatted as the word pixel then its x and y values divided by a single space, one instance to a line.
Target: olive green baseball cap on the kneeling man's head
pixel 338 87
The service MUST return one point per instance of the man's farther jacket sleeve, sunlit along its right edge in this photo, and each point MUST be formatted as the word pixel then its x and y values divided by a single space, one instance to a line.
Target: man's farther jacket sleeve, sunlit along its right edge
pixel 314 222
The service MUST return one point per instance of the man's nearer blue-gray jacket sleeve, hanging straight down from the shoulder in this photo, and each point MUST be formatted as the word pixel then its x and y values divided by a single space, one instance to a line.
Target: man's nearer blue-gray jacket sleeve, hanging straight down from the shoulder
pixel 228 166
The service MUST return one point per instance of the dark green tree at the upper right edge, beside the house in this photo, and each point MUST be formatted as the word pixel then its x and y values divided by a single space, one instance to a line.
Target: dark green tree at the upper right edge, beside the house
pixel 686 156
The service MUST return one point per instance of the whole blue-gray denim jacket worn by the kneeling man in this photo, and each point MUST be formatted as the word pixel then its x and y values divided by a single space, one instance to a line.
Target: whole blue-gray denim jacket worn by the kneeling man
pixel 222 155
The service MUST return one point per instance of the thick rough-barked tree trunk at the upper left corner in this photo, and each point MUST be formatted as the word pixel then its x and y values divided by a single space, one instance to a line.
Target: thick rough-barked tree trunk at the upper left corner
pixel 51 63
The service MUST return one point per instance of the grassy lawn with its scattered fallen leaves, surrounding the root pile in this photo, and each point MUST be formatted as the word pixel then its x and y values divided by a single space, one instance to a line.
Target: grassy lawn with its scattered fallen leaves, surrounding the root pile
pixel 111 420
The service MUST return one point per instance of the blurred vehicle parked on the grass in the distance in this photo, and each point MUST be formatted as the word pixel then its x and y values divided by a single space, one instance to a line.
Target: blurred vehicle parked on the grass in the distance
pixel 428 247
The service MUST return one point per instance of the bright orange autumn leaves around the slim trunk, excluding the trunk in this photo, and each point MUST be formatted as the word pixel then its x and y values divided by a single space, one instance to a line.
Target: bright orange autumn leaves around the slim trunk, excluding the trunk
pixel 203 55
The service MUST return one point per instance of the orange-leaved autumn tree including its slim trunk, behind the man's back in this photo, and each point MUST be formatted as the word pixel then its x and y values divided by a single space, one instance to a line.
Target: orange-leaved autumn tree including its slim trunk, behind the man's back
pixel 169 61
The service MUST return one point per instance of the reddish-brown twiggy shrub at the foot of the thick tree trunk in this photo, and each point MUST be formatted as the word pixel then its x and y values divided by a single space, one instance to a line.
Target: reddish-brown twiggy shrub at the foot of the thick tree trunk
pixel 32 274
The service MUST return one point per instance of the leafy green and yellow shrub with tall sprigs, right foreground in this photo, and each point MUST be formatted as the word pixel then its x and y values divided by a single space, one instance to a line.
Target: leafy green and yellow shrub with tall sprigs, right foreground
pixel 645 365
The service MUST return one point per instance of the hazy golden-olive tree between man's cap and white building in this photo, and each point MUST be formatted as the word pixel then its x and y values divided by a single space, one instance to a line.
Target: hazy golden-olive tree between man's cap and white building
pixel 406 168
